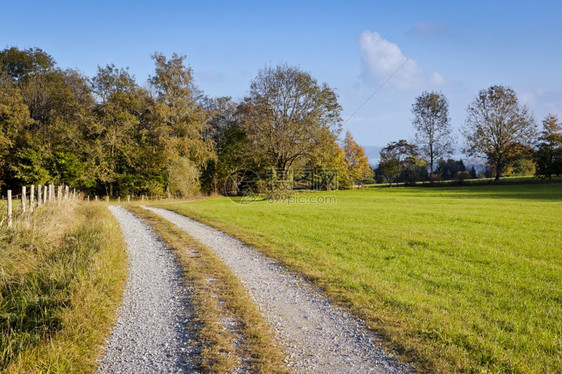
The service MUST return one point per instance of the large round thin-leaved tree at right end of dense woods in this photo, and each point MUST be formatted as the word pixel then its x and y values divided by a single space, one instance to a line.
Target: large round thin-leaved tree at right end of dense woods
pixel 285 116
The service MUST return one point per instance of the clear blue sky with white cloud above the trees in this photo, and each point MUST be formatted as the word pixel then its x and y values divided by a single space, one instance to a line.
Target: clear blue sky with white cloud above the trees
pixel 457 47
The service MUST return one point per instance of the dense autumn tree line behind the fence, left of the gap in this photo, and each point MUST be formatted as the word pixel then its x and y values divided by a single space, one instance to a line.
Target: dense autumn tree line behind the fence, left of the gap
pixel 109 135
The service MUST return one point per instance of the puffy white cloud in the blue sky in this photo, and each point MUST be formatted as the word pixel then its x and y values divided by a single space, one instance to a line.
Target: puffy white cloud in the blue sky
pixel 382 58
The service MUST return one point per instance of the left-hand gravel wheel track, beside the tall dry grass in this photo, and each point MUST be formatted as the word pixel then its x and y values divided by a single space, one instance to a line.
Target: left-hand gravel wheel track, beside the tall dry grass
pixel 152 332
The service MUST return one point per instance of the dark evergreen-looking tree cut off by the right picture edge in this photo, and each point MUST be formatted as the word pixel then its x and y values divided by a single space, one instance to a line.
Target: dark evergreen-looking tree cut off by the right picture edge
pixel 548 158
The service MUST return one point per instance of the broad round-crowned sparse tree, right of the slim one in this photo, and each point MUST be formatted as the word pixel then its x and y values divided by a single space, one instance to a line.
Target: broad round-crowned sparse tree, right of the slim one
pixel 498 126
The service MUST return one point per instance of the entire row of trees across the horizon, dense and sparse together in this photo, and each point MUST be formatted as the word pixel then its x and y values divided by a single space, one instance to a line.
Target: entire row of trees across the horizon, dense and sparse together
pixel 109 135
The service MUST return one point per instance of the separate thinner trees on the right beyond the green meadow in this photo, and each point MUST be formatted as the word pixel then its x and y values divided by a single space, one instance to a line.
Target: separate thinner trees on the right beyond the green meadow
pixel 497 126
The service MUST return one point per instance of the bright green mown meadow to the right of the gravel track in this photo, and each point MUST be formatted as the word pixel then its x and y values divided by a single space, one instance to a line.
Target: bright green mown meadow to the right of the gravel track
pixel 461 279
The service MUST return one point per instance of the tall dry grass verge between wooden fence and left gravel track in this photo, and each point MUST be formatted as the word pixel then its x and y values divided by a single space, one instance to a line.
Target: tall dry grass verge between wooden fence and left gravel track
pixel 62 272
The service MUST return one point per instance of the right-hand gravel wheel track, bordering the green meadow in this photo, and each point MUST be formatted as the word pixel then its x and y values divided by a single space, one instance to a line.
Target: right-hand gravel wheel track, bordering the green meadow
pixel 316 336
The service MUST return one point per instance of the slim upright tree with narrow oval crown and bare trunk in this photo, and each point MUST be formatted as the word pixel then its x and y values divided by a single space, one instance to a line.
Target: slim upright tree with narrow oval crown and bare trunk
pixel 433 128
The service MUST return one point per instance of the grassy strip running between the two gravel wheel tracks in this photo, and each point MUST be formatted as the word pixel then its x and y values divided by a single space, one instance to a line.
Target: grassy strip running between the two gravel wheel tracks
pixel 217 295
